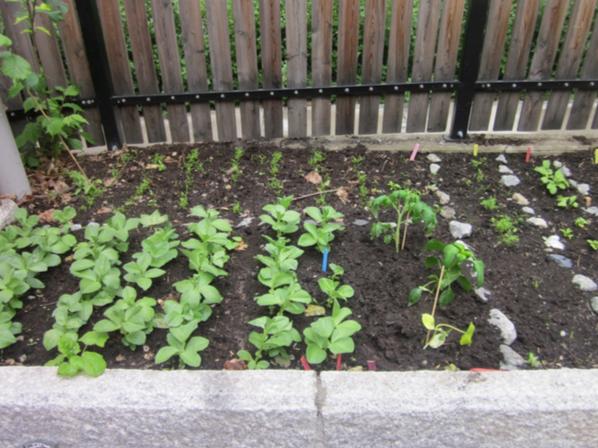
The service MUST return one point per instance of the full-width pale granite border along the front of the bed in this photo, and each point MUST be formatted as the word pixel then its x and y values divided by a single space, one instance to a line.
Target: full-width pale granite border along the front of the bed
pixel 285 408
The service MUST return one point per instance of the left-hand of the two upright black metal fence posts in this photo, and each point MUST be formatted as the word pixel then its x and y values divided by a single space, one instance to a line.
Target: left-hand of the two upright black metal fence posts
pixel 95 49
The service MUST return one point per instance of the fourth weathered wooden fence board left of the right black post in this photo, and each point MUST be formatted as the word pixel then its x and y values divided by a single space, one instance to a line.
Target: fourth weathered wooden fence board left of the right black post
pixel 373 52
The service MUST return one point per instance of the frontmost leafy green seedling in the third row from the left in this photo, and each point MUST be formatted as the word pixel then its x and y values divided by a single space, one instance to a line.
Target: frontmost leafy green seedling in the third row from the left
pixel 131 317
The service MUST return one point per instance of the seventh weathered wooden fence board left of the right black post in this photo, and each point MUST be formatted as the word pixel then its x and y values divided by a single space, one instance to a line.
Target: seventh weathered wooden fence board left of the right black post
pixel 296 30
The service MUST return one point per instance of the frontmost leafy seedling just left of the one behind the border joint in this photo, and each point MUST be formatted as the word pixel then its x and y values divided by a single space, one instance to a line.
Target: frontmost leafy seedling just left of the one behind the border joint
pixel 273 341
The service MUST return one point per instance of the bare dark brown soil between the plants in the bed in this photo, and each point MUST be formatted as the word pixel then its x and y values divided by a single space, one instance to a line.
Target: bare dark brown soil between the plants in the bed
pixel 552 317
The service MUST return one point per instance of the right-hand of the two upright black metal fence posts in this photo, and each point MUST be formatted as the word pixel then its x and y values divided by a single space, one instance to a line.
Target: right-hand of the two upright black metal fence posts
pixel 477 19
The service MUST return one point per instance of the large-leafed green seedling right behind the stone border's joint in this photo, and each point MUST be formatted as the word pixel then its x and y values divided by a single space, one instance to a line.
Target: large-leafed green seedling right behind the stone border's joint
pixel 330 334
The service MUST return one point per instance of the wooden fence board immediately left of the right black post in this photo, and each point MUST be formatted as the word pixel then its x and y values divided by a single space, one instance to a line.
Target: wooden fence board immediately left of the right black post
pixel 446 62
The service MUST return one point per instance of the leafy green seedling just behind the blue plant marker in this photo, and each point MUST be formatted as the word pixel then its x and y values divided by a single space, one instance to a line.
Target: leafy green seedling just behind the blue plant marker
pixel 327 221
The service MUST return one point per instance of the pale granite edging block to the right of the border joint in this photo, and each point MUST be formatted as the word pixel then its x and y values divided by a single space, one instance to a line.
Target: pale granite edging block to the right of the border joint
pixel 553 408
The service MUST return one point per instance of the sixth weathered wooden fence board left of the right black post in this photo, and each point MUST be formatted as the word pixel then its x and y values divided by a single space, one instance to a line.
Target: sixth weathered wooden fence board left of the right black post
pixel 321 64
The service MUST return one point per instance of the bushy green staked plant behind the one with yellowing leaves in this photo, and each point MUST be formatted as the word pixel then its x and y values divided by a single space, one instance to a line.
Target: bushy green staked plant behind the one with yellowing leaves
pixel 409 209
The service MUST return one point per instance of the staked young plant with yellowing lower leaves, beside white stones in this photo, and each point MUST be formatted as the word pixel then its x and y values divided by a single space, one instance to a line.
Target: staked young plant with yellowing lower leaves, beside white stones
pixel 457 266
